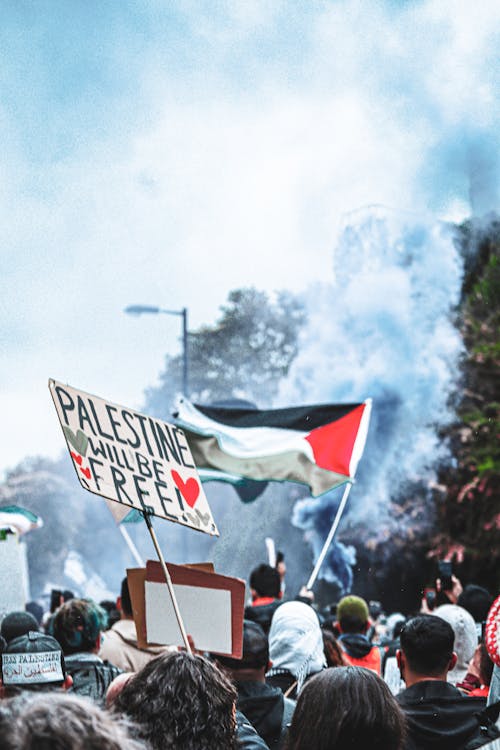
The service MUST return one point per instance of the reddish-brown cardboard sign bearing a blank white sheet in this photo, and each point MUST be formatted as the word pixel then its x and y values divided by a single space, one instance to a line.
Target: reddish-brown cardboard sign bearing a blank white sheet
pixel 212 607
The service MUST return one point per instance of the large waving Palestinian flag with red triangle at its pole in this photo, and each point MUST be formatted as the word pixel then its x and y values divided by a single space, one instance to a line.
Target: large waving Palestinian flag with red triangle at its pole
pixel 319 446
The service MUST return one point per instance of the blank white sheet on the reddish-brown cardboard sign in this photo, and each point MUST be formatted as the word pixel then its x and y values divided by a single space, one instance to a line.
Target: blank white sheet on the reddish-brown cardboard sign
pixel 206 614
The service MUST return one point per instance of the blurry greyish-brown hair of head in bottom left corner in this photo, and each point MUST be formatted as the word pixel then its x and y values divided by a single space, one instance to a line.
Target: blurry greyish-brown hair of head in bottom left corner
pixel 56 721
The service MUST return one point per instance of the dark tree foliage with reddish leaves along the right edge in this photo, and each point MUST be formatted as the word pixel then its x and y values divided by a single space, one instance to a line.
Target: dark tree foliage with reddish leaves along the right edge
pixel 469 518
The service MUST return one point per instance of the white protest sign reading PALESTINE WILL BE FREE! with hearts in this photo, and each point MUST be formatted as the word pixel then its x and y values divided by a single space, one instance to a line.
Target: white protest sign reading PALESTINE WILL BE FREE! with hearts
pixel 131 458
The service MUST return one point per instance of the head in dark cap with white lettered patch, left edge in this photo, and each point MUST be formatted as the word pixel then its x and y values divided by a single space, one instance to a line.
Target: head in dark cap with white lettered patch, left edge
pixel 32 662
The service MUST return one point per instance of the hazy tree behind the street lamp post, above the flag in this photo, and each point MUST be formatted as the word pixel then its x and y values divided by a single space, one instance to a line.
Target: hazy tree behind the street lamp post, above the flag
pixel 243 355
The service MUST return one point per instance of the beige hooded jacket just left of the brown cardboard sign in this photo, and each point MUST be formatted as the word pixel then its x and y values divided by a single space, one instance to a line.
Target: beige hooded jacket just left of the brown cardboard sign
pixel 119 646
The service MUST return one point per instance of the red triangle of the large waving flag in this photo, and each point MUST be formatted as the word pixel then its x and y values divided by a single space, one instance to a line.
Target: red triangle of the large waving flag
pixel 333 443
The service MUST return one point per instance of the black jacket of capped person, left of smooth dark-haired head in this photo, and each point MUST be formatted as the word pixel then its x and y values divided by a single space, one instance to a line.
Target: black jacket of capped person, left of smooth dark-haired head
pixel 266 709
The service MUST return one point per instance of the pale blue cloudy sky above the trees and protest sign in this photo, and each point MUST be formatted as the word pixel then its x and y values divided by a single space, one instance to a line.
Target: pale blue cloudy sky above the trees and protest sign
pixel 166 153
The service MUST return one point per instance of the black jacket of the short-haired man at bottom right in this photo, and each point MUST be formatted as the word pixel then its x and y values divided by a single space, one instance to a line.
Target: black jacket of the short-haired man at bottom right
pixel 440 717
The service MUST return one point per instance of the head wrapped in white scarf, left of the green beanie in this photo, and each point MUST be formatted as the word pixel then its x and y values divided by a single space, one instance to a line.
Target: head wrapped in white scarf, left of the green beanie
pixel 296 641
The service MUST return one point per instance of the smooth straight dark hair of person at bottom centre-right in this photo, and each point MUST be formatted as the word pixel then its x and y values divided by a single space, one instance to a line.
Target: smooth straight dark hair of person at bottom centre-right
pixel 345 708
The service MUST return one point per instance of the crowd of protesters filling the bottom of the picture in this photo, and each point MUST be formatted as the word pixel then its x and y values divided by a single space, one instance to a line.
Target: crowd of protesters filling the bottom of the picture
pixel 336 679
